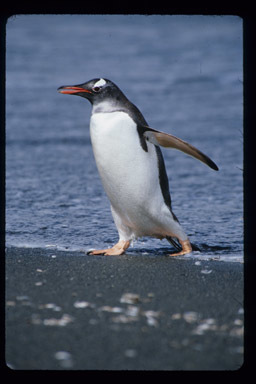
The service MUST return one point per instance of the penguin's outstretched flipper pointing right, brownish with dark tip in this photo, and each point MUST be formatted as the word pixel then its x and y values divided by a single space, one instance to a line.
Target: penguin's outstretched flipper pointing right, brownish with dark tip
pixel 169 141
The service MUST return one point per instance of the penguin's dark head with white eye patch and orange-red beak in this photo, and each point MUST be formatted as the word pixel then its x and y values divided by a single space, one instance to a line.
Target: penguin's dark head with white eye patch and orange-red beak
pixel 96 90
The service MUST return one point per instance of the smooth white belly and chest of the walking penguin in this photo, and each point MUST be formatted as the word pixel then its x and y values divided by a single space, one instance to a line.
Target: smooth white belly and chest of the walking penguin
pixel 129 174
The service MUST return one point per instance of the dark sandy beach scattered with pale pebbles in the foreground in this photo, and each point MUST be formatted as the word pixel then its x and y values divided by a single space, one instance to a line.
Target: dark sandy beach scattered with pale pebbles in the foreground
pixel 69 311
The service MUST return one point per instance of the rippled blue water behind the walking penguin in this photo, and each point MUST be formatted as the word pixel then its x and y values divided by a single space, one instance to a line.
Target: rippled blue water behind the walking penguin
pixel 185 75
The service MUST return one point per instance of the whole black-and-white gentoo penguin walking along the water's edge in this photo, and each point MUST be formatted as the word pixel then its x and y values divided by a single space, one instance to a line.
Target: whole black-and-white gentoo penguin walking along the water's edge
pixel 131 167
